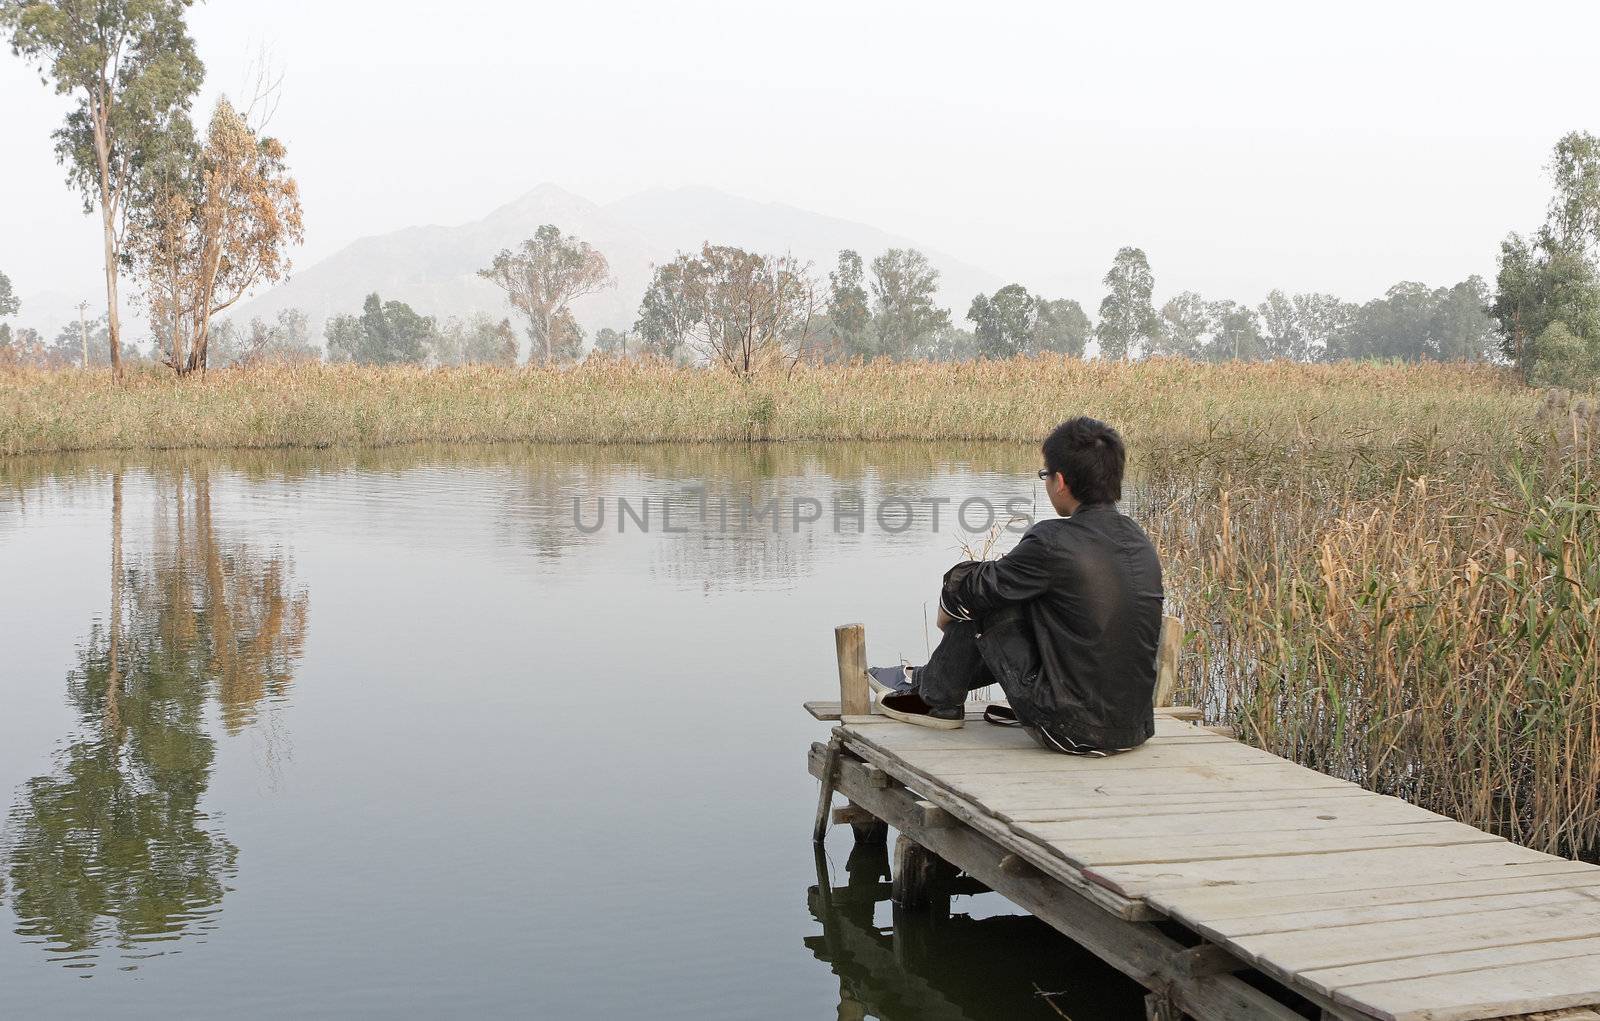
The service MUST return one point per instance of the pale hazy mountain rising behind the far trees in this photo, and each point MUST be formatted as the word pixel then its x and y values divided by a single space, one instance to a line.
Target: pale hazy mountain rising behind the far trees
pixel 436 268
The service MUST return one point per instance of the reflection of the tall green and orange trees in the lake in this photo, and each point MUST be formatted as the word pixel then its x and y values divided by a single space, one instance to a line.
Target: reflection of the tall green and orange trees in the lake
pixel 113 849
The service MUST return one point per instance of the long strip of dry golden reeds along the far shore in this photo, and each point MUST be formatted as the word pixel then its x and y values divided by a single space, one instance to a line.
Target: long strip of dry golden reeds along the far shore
pixel 607 402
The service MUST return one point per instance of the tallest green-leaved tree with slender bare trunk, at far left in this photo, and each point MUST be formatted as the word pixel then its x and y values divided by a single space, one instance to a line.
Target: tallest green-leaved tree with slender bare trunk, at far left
pixel 130 70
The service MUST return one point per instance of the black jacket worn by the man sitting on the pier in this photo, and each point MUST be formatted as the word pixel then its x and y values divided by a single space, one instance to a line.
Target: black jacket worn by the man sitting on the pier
pixel 1070 620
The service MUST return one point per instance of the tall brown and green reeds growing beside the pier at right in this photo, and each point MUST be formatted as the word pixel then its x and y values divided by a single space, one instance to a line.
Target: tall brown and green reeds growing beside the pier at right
pixel 1425 625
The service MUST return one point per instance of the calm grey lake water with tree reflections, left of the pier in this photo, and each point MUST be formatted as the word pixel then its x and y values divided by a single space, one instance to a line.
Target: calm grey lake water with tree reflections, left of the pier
pixel 407 734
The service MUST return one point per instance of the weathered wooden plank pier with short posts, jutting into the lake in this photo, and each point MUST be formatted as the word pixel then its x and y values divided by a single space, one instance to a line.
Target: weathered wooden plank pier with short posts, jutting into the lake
pixel 1226 881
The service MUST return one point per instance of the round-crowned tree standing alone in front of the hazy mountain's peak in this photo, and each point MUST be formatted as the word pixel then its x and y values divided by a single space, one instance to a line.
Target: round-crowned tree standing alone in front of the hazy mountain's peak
pixel 542 279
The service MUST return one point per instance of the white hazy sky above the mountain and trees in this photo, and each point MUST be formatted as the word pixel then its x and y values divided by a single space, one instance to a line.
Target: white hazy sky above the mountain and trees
pixel 1244 146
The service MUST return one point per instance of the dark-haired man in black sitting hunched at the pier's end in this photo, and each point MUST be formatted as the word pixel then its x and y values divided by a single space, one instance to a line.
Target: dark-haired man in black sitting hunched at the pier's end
pixel 1066 623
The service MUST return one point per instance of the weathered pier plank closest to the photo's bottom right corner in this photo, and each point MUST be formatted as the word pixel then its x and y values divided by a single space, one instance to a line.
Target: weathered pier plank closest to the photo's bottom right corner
pixel 1492 993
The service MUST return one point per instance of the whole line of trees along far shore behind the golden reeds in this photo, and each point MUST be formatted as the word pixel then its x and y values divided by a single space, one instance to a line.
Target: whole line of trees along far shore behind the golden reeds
pixel 201 218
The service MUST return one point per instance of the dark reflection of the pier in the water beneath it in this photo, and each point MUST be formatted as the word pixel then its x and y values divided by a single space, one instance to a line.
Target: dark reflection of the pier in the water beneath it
pixel 935 966
